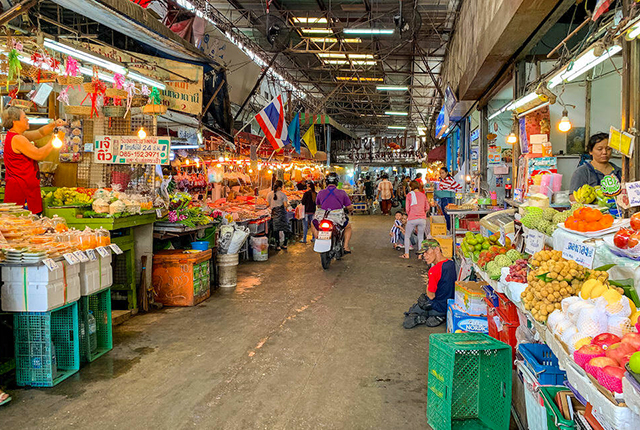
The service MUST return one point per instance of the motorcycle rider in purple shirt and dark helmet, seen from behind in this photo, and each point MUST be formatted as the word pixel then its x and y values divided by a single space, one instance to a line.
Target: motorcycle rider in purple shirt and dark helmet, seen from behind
pixel 335 200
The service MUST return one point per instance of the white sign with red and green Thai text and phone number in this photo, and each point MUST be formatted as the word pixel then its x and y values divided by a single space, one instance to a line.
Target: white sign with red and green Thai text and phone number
pixel 131 150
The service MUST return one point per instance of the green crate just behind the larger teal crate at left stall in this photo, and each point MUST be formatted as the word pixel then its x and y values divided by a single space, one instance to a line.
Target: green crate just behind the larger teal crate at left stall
pixel 100 304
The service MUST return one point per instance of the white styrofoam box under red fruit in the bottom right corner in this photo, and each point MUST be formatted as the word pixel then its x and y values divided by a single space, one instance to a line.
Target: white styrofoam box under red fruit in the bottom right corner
pixel 610 416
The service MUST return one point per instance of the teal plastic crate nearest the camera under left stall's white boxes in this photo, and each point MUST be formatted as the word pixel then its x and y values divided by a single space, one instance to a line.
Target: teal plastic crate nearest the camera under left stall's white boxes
pixel 35 333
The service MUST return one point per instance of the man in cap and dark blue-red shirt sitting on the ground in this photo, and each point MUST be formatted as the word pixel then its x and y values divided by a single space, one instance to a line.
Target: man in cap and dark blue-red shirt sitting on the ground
pixel 431 308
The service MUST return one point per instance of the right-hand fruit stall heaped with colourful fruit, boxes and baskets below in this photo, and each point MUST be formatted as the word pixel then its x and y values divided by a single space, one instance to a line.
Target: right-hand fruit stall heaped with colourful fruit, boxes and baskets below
pixel 559 287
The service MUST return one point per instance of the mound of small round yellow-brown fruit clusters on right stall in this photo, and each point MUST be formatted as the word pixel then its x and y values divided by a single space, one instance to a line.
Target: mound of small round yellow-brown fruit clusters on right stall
pixel 552 279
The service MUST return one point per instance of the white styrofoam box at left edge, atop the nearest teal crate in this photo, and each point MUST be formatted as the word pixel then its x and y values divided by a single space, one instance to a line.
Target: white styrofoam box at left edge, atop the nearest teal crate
pixel 22 292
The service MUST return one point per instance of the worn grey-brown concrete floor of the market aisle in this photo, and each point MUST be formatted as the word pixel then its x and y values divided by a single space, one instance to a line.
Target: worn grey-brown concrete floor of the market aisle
pixel 293 347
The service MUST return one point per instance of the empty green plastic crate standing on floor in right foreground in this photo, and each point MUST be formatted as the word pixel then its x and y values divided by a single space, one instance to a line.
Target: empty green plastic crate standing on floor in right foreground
pixel 469 383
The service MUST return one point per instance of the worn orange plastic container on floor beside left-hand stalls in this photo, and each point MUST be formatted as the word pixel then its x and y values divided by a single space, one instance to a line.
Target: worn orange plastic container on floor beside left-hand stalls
pixel 181 279
